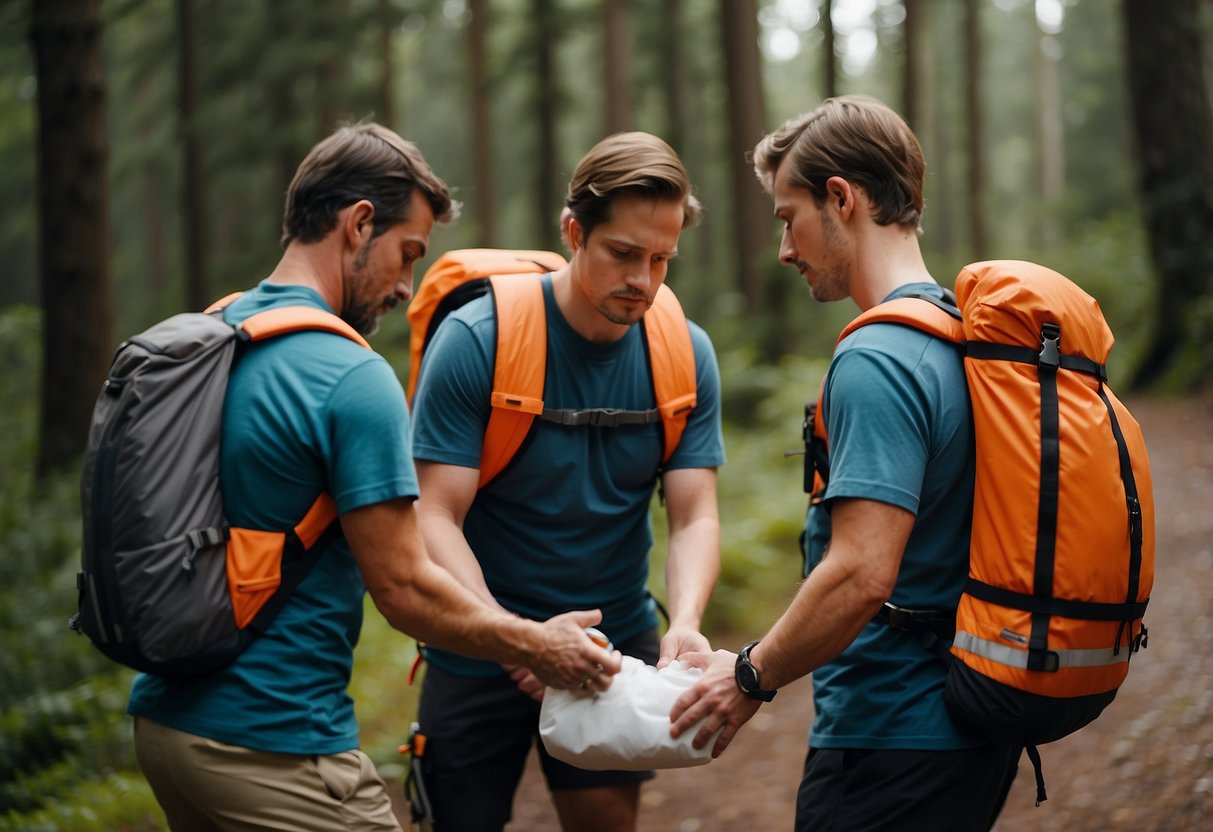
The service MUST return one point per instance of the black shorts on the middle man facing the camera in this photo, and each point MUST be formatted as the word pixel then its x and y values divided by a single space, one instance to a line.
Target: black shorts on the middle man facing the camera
pixel 479 734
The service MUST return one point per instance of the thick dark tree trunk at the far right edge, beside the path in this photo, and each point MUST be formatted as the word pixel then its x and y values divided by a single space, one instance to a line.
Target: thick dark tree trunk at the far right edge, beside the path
pixel 1174 128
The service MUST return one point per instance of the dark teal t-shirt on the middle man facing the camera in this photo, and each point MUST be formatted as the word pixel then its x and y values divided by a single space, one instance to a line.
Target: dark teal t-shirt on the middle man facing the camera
pixel 567 525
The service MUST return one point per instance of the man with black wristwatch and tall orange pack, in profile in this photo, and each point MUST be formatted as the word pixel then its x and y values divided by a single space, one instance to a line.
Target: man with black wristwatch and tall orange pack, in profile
pixel 893 525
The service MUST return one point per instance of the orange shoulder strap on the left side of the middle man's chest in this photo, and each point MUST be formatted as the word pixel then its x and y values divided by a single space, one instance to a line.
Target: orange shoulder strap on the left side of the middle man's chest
pixel 520 371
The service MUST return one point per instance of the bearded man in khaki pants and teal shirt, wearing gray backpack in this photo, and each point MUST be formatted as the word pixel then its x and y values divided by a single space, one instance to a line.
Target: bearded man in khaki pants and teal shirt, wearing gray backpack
pixel 271 742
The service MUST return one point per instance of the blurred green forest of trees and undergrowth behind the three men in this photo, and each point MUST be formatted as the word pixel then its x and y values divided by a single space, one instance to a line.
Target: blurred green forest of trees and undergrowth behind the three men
pixel 146 147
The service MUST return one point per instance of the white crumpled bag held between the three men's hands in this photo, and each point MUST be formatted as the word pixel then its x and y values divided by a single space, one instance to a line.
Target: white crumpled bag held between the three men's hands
pixel 628 727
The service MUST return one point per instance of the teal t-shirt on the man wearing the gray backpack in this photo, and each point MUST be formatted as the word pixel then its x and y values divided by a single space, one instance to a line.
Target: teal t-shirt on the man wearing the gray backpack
pixel 305 413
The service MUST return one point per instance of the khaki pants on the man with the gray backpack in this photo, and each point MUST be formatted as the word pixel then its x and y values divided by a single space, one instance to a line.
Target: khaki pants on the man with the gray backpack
pixel 208 787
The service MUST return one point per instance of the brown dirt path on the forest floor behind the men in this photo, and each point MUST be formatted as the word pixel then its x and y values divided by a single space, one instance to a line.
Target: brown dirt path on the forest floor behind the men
pixel 1146 765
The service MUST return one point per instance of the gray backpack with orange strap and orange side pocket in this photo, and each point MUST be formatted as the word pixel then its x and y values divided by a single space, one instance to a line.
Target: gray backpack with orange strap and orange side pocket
pixel 168 586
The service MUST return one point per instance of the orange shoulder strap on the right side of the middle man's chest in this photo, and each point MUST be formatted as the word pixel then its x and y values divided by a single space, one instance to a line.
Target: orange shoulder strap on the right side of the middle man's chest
pixel 673 362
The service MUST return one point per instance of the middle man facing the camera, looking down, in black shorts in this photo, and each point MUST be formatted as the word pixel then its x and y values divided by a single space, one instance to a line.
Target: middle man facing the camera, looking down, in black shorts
pixel 567 523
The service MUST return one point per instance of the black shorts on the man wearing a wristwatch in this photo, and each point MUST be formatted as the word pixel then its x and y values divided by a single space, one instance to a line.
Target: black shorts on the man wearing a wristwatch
pixel 859 790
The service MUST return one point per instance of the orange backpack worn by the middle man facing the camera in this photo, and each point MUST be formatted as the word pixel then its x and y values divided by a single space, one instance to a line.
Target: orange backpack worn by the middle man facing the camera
pixel 514 278
